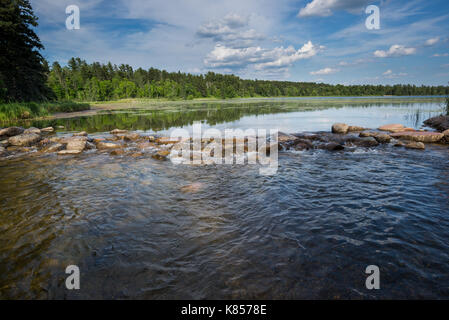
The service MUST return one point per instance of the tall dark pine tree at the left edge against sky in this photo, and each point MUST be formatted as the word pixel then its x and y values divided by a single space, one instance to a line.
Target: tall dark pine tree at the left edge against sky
pixel 22 67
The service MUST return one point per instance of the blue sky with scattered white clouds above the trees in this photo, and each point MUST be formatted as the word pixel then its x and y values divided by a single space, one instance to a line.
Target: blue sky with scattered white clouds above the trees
pixel 310 40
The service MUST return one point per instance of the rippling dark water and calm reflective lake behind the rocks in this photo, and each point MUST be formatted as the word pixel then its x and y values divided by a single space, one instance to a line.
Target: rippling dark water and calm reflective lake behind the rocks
pixel 309 231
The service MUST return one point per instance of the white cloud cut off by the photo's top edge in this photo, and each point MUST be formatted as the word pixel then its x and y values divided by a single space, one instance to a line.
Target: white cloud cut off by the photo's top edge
pixel 324 8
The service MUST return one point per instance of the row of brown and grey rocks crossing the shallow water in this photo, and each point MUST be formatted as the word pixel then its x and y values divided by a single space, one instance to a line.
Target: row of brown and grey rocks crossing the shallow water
pixel 17 141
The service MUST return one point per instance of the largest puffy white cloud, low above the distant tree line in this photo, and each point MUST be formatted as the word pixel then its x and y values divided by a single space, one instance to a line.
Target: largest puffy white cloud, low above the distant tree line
pixel 260 58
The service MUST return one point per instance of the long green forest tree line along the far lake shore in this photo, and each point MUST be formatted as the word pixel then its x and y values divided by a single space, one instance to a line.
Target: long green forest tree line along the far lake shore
pixel 82 81
